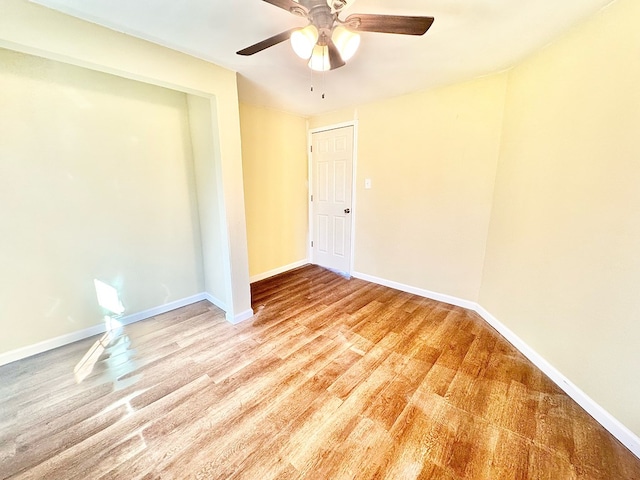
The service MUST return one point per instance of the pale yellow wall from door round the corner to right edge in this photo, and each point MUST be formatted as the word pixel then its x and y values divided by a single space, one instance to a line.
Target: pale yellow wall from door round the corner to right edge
pixel 561 266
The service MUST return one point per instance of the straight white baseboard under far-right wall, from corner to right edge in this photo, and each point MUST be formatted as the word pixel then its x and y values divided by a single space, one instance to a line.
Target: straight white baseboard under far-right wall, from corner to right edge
pixel 608 421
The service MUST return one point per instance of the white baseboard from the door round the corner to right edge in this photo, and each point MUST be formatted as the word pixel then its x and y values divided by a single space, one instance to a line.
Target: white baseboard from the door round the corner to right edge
pixel 608 421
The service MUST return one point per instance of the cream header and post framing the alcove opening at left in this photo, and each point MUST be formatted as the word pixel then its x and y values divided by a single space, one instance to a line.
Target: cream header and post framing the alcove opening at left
pixel 29 28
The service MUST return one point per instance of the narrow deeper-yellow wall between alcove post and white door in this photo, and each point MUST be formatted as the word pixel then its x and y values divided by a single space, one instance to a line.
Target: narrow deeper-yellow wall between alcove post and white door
pixel 274 162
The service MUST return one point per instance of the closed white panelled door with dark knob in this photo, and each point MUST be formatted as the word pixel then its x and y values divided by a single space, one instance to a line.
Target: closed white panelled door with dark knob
pixel 332 160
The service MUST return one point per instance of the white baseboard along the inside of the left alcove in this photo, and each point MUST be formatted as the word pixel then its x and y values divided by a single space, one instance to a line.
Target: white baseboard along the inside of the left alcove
pixel 35 349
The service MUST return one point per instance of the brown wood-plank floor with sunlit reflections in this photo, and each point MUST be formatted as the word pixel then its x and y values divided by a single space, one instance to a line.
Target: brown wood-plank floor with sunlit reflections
pixel 332 379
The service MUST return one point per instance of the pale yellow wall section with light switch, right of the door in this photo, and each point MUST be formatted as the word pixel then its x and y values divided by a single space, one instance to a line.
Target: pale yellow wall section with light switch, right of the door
pixel 431 157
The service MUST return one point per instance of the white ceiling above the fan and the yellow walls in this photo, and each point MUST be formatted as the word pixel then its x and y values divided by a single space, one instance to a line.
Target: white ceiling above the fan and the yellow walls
pixel 468 39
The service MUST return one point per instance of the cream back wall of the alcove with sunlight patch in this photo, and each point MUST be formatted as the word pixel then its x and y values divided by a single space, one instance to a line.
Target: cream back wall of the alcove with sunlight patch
pixel 96 182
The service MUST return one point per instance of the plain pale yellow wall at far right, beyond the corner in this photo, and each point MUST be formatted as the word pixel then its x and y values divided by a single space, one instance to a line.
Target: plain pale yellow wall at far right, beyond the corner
pixel 563 266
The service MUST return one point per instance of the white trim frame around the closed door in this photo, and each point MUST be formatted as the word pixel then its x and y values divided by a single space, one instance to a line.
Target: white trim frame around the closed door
pixel 354 170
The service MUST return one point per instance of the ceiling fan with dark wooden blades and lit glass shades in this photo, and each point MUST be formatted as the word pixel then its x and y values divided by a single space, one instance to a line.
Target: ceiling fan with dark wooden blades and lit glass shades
pixel 327 42
